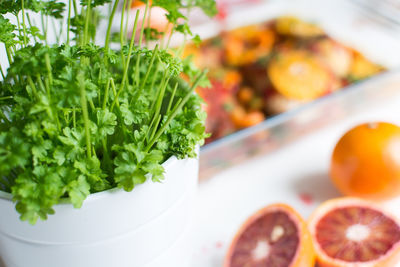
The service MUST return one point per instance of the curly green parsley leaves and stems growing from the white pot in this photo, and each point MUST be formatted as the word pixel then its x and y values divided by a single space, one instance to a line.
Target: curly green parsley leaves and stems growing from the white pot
pixel 77 118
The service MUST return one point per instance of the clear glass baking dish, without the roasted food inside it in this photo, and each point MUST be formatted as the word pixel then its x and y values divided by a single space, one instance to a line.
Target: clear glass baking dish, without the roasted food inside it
pixel 343 20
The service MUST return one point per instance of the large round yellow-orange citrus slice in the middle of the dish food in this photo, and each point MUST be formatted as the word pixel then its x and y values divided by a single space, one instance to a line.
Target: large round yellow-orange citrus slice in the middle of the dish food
pixel 299 75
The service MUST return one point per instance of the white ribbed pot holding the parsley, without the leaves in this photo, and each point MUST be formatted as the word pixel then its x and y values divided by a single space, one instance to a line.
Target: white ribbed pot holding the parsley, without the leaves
pixel 148 227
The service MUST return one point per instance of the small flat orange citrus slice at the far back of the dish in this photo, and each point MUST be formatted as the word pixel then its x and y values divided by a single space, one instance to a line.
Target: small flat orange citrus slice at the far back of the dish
pixel 293 26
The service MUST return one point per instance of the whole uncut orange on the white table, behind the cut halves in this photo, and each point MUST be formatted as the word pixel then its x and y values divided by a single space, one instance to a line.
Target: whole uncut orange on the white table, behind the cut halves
pixel 366 161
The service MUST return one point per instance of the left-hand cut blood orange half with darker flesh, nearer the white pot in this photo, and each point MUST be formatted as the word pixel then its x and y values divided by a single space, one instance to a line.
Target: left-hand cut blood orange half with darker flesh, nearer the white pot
pixel 274 236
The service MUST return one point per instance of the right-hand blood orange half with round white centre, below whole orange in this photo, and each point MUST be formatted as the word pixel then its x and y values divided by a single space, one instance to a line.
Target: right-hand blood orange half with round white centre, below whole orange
pixel 350 232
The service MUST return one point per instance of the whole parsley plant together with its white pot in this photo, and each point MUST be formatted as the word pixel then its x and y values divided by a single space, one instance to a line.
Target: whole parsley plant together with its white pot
pixel 83 123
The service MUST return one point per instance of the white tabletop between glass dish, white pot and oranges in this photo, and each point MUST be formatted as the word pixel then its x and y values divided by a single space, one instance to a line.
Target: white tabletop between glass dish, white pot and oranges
pixel 300 168
